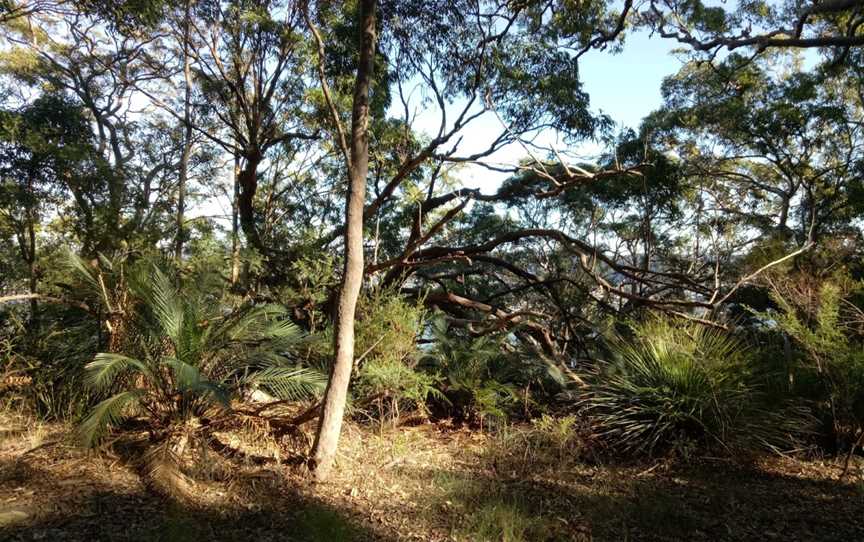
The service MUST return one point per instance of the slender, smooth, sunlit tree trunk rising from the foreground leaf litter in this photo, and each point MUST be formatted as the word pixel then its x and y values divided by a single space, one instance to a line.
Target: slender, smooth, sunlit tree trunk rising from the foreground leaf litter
pixel 327 438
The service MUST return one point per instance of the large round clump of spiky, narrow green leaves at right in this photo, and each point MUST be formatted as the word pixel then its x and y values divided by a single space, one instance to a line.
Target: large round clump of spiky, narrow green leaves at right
pixel 684 386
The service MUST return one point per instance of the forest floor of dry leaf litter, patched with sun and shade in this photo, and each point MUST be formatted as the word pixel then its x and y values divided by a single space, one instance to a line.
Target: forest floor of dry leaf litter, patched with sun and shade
pixel 419 483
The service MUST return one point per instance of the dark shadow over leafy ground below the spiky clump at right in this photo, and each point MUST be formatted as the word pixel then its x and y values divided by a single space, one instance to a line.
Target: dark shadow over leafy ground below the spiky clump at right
pixel 705 503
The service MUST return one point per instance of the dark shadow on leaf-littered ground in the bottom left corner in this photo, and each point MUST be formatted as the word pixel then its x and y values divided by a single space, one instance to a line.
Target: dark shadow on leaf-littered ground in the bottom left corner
pixel 88 512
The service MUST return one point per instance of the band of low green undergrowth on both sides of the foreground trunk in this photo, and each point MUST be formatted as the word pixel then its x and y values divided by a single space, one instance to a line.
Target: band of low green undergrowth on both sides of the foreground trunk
pixel 182 356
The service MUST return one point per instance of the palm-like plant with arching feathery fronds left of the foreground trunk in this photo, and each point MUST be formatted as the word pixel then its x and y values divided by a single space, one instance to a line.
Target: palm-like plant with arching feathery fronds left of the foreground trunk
pixel 188 360
